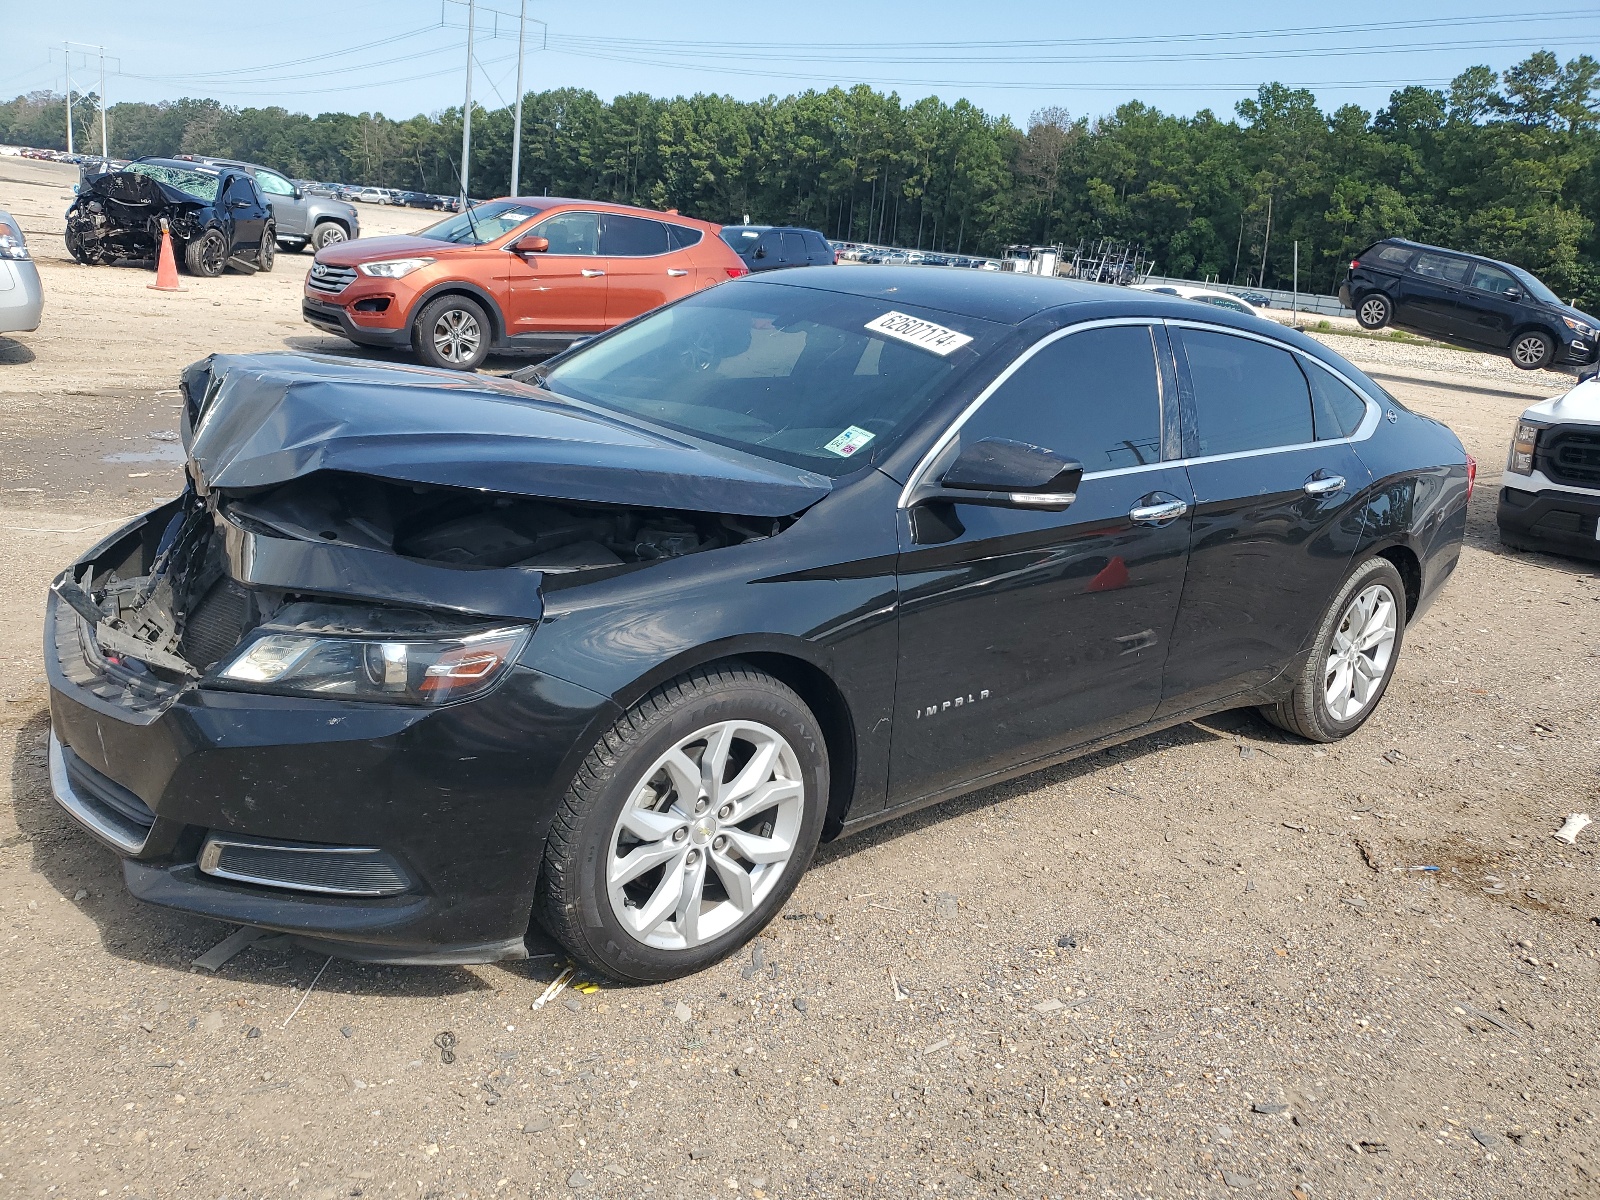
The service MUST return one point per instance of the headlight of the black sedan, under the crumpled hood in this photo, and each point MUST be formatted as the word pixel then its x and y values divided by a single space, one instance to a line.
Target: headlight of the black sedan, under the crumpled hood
pixel 407 668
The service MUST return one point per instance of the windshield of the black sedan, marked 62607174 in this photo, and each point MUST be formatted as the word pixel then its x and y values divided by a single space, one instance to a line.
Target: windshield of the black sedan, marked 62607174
pixel 790 374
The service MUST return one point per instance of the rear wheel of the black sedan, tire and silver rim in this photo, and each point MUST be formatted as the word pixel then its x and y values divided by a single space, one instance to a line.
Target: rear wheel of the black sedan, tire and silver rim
pixel 1353 658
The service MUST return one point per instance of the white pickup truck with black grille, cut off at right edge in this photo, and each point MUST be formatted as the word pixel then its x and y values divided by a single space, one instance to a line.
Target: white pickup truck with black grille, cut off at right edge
pixel 1551 494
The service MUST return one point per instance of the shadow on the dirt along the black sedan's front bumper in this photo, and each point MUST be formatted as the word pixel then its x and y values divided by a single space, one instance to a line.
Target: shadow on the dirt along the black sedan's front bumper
pixel 87 874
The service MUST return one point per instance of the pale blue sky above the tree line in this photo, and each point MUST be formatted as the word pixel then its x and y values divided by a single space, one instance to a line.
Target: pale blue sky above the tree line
pixel 407 57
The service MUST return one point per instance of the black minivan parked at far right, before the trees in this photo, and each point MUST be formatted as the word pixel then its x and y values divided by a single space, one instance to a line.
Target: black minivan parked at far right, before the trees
pixel 1468 300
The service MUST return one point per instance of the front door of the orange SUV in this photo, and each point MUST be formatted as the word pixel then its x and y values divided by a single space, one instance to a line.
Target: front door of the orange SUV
pixel 562 289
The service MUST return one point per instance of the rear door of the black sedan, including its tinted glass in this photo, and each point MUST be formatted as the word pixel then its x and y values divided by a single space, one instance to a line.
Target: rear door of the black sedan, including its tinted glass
pixel 1278 511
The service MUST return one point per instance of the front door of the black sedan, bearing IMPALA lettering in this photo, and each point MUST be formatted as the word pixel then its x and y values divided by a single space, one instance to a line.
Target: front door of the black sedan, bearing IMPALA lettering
pixel 1026 633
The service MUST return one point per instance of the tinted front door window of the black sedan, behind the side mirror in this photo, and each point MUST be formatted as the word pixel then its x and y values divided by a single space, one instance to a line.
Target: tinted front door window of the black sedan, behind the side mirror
pixel 1090 396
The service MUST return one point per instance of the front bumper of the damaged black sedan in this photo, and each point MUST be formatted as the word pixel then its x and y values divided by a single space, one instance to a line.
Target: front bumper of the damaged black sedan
pixel 458 798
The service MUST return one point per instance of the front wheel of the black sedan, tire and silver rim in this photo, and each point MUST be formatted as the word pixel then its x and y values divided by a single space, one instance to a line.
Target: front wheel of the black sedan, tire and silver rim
pixel 767 801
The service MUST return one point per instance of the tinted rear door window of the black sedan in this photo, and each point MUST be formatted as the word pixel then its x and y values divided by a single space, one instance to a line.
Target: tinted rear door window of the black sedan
pixel 1249 396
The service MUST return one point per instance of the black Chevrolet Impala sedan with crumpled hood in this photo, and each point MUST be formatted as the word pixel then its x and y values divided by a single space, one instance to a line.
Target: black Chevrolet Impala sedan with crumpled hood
pixel 420 662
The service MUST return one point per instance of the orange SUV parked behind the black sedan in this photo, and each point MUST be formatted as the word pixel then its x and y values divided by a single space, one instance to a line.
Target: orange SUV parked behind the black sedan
pixel 513 276
